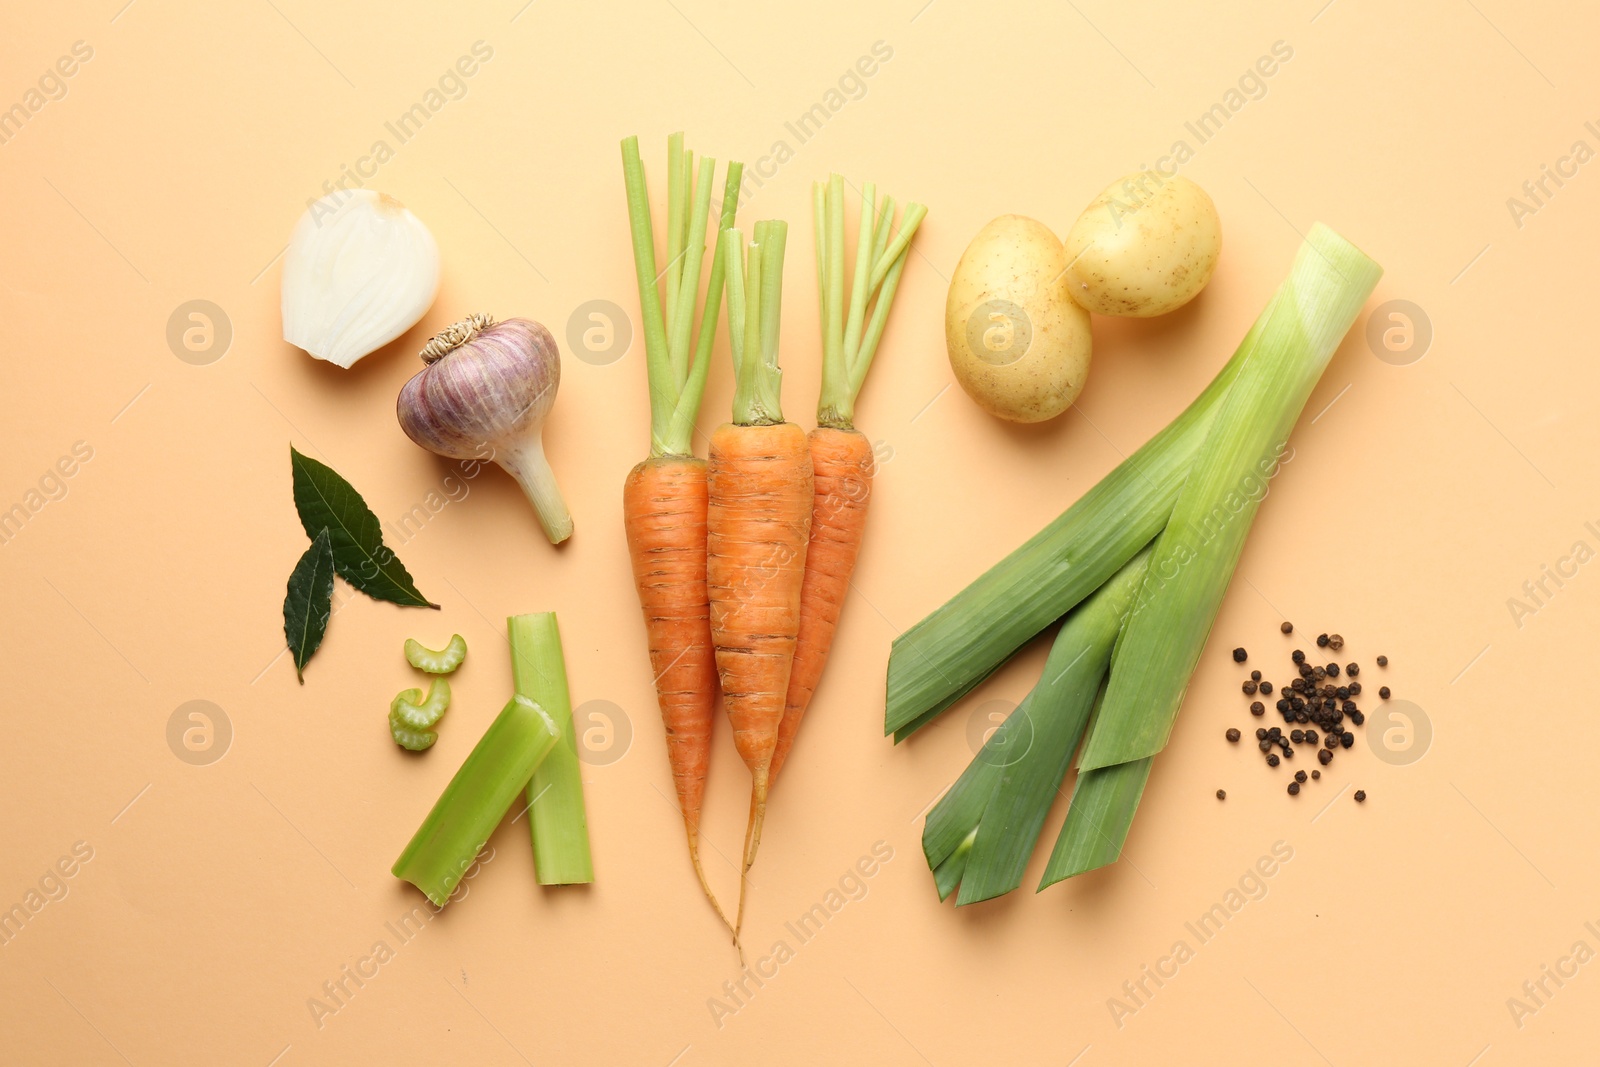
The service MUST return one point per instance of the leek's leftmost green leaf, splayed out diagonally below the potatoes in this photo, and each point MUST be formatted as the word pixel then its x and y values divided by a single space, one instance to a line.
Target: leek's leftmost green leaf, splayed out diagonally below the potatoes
pixel 940 660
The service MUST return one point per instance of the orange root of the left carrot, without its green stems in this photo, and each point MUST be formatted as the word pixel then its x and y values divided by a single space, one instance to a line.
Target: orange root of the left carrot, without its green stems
pixel 665 516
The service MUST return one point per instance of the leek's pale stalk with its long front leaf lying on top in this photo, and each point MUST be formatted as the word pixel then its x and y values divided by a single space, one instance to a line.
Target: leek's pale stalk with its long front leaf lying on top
pixel 1196 556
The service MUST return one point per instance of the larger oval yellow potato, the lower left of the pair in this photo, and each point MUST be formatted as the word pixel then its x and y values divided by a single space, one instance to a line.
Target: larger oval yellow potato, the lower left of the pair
pixel 1020 345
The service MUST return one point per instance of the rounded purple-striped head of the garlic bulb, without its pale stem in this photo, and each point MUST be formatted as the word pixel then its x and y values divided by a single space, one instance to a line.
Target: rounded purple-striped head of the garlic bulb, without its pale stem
pixel 487 391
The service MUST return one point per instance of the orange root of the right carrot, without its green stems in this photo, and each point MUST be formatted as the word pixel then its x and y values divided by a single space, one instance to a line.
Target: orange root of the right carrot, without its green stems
pixel 842 468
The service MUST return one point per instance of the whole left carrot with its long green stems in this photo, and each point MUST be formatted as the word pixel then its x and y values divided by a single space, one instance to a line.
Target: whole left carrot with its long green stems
pixel 665 497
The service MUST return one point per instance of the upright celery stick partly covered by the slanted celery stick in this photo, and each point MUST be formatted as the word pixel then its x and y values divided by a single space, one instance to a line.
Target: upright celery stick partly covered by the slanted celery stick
pixel 556 793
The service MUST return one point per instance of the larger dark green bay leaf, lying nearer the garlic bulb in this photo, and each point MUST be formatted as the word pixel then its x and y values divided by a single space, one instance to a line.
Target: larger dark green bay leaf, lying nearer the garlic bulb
pixel 359 553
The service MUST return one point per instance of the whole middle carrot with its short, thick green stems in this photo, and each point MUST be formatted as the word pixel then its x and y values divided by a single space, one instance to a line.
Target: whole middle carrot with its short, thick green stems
pixel 758 522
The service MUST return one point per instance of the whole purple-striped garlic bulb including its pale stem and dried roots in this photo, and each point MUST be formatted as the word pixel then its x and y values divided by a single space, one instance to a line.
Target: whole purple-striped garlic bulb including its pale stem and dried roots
pixel 484 396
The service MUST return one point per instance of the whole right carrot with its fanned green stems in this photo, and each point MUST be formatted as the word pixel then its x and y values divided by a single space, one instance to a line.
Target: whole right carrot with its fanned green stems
pixel 842 457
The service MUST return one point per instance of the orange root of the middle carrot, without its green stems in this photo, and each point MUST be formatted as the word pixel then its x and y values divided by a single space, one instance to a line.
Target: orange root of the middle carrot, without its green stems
pixel 758 529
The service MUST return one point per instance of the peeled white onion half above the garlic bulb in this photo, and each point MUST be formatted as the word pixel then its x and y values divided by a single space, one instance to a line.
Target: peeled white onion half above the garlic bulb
pixel 359 273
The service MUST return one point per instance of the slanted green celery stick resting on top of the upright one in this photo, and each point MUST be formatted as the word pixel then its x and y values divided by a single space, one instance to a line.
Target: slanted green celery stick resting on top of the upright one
pixel 478 799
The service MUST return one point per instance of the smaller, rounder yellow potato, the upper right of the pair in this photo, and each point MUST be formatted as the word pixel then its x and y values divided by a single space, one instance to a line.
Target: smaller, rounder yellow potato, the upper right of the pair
pixel 1145 247
